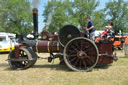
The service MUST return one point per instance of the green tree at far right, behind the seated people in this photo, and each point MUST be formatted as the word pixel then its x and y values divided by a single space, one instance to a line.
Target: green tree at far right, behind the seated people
pixel 117 12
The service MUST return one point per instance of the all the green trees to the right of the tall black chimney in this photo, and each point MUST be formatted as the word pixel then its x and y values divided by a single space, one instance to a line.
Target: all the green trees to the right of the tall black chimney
pixel 58 13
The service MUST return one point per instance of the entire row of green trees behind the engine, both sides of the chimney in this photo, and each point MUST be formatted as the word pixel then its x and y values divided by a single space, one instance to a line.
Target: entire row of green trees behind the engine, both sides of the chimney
pixel 16 15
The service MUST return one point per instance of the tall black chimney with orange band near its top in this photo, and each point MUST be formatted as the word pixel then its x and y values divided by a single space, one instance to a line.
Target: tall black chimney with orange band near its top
pixel 35 21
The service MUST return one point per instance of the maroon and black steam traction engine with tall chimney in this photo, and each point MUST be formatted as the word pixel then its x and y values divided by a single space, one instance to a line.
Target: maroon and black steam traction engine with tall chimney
pixel 77 52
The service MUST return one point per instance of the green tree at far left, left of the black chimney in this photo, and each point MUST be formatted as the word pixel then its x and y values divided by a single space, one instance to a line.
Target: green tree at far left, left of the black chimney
pixel 18 16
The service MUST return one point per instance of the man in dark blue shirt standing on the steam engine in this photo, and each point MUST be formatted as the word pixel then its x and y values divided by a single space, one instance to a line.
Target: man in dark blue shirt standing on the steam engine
pixel 91 29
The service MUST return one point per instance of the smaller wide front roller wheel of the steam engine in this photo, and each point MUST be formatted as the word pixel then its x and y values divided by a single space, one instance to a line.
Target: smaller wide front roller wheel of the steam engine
pixel 27 58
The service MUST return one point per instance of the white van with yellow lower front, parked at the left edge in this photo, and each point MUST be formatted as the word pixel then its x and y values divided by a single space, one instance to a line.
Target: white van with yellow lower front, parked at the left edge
pixel 7 41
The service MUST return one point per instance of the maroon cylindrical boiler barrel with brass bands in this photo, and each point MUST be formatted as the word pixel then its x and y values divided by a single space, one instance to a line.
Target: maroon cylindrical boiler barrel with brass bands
pixel 47 46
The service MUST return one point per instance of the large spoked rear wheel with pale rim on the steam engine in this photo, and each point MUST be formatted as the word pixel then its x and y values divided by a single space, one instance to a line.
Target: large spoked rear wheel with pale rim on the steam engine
pixel 81 54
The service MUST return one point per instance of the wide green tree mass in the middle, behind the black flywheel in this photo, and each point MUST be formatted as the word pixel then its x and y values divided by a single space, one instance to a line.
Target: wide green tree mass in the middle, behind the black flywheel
pixel 62 12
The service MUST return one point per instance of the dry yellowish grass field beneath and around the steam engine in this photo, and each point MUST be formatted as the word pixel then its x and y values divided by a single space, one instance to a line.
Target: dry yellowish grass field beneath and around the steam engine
pixel 44 73
